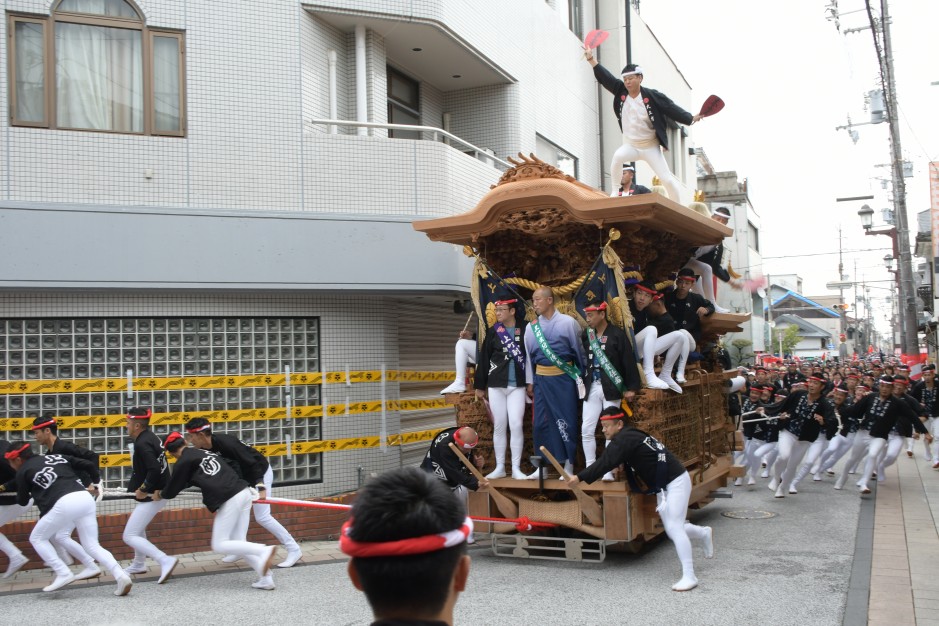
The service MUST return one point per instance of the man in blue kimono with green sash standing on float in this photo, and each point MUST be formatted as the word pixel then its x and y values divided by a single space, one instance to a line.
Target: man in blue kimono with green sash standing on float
pixel 552 371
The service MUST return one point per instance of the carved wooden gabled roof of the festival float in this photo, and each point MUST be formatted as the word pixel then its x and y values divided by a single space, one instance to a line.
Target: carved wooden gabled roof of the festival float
pixel 546 226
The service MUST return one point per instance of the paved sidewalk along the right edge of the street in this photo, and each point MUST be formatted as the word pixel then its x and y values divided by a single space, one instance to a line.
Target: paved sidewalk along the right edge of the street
pixel 904 582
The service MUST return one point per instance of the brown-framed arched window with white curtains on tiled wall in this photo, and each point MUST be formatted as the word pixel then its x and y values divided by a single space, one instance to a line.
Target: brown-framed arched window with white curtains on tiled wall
pixel 96 65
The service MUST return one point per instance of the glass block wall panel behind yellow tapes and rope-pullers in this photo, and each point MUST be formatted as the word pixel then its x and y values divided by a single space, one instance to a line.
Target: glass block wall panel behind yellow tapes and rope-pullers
pixel 99 350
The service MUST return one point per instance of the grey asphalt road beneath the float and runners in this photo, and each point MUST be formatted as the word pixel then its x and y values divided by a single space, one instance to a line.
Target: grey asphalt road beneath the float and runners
pixel 793 568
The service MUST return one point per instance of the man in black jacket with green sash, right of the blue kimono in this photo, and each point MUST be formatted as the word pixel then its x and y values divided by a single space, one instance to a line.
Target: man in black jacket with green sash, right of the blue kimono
pixel 612 374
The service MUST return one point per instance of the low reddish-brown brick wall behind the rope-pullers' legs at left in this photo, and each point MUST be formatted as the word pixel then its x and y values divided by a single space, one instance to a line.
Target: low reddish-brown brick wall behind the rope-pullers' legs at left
pixel 181 531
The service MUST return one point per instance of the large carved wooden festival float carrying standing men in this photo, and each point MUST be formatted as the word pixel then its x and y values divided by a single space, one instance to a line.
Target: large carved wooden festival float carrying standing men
pixel 538 226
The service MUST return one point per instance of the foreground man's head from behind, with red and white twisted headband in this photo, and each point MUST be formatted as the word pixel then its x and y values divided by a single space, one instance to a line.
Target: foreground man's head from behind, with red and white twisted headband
pixel 407 538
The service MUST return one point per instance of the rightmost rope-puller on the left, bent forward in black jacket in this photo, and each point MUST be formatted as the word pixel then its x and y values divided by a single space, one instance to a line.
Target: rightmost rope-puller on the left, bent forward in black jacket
pixel 253 468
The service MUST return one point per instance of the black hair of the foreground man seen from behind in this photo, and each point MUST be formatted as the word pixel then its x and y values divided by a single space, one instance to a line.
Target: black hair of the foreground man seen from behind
pixel 400 504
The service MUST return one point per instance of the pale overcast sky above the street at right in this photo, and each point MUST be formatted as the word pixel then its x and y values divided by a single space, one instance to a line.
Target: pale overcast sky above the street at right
pixel 788 78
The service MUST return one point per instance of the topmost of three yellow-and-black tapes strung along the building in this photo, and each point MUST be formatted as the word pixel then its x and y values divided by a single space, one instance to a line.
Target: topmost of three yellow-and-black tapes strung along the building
pixel 174 383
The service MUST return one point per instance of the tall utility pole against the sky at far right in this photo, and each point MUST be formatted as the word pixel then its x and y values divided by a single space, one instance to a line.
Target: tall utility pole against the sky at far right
pixel 907 304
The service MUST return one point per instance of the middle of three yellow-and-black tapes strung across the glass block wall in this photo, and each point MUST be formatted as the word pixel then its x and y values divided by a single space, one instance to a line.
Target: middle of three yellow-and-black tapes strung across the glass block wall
pixel 234 415
